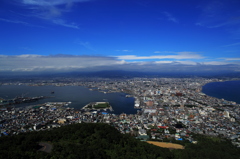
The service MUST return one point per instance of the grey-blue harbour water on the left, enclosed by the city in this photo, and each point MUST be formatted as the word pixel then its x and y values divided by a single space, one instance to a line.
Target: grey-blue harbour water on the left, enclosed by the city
pixel 79 96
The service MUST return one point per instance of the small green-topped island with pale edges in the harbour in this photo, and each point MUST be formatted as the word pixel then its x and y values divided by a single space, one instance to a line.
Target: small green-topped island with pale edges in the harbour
pixel 98 106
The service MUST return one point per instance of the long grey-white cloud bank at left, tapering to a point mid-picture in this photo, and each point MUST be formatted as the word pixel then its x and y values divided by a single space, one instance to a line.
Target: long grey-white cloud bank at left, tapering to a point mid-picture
pixel 57 62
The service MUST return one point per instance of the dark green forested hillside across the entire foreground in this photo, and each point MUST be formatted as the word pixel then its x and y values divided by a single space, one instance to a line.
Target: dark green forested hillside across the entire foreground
pixel 89 140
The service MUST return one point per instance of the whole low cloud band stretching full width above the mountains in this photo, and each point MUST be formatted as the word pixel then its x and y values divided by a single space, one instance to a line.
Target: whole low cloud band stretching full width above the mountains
pixel 65 63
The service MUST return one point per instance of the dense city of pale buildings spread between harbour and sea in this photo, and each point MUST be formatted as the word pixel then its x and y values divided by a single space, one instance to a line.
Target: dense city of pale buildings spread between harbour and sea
pixel 168 109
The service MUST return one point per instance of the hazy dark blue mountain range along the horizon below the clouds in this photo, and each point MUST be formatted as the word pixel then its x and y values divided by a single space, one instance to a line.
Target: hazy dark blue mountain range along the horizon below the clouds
pixel 120 74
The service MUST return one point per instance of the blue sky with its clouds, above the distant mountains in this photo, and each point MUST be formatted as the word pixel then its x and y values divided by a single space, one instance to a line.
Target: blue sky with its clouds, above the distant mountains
pixel 137 35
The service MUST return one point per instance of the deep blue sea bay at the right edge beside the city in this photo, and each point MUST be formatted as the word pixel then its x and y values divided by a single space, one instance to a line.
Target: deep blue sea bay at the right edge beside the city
pixel 229 90
